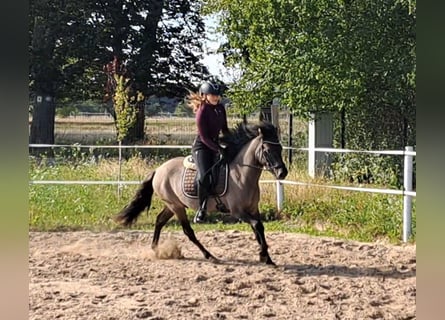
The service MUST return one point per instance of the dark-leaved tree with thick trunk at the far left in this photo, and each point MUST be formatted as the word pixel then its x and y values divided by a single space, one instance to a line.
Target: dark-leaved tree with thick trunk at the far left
pixel 62 61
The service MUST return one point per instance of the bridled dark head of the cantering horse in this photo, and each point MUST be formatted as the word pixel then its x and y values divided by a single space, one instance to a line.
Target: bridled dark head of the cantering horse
pixel 269 151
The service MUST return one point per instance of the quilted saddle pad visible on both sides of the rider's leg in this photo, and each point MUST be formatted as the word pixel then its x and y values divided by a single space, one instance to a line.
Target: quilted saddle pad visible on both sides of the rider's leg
pixel 220 174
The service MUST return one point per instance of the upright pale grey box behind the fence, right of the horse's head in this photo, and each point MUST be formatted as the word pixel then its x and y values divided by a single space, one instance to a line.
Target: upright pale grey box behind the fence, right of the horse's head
pixel 320 136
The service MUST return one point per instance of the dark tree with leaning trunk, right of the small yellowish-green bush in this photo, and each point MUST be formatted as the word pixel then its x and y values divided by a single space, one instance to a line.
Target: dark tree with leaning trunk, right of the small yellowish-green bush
pixel 161 48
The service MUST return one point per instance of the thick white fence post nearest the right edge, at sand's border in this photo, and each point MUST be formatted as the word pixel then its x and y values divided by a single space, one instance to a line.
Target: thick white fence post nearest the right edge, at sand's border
pixel 407 199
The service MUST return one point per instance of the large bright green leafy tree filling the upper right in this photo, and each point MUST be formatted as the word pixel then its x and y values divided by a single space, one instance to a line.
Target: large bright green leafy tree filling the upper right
pixel 350 57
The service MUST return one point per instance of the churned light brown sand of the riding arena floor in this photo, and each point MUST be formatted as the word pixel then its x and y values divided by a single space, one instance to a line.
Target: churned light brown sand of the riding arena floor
pixel 116 275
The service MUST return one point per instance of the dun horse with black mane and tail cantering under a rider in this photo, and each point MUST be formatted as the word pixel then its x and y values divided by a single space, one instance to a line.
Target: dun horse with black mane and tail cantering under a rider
pixel 251 148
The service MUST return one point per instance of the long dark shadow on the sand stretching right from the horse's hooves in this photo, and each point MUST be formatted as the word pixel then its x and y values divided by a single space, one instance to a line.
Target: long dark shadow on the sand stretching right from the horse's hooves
pixel 308 270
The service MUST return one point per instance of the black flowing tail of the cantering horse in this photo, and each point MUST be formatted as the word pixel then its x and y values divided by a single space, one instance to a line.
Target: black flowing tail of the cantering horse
pixel 141 200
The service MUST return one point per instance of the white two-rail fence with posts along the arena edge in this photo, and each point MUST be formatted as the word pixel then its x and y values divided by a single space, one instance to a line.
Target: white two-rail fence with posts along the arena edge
pixel 407 191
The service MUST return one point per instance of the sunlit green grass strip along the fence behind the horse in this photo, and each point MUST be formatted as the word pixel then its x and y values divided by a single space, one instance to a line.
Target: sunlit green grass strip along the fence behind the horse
pixel 316 211
